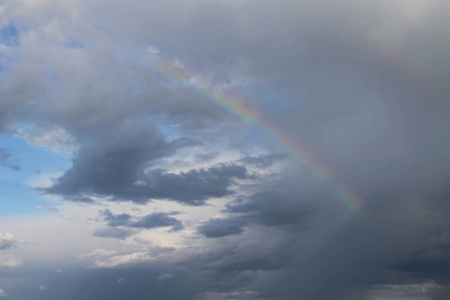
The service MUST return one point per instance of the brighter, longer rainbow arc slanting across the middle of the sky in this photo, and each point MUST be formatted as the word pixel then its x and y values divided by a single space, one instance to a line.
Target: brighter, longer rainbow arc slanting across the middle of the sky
pixel 242 110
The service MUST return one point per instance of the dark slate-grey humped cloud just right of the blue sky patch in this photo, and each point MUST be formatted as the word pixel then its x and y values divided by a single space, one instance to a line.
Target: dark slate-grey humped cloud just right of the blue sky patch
pixel 112 164
